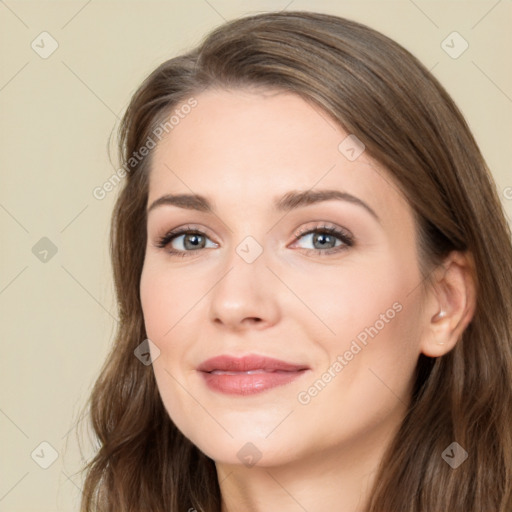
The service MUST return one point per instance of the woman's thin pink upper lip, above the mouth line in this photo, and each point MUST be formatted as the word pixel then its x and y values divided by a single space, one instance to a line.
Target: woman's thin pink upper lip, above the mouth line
pixel 248 363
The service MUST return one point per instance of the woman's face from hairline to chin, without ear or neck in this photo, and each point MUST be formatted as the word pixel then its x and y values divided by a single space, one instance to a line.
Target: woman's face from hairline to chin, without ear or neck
pixel 329 285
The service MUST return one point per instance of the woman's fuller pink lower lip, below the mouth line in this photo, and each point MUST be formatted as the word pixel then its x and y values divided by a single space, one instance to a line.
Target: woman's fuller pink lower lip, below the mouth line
pixel 249 384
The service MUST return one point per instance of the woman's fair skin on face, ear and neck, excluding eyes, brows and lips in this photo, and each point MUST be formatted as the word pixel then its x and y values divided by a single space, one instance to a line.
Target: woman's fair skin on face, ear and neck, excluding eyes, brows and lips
pixel 242 149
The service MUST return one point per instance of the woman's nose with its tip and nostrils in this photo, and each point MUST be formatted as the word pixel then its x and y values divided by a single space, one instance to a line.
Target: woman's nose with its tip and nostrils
pixel 245 296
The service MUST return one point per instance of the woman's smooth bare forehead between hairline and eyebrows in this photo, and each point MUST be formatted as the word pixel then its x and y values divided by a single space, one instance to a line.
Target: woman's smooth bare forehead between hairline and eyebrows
pixel 257 145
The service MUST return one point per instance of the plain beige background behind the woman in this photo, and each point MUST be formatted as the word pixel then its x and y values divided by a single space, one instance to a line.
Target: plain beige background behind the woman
pixel 58 316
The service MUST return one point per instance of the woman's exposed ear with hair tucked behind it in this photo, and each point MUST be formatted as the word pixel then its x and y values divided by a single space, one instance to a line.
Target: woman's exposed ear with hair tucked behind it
pixel 450 304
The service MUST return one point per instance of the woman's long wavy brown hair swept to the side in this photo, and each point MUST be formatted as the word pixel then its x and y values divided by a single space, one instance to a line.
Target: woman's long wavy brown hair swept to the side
pixel 378 91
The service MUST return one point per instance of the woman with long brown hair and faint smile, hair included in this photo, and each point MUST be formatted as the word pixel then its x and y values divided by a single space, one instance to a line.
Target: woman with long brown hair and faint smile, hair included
pixel 310 251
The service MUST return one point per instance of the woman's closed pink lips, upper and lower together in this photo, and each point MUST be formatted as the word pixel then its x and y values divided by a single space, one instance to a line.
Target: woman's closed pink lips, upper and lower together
pixel 249 374
